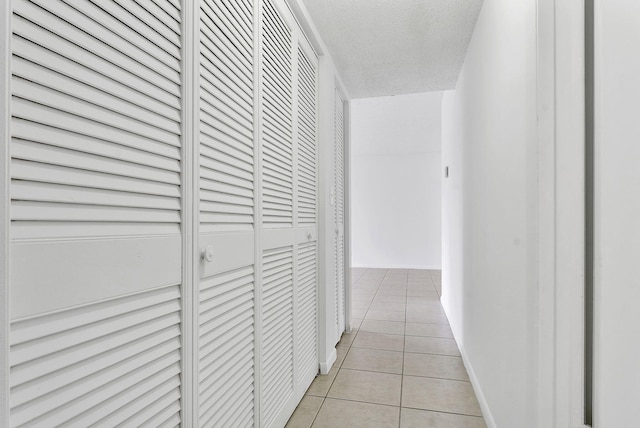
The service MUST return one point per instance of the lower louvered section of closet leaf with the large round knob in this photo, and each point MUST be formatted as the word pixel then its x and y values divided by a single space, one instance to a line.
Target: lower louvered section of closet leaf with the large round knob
pixel 227 349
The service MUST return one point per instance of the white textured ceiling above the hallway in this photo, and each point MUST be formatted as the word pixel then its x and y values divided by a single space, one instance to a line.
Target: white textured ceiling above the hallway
pixel 391 47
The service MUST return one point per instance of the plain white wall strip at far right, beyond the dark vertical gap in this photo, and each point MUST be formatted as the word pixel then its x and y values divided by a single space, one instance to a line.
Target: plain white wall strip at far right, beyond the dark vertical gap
pixel 617 214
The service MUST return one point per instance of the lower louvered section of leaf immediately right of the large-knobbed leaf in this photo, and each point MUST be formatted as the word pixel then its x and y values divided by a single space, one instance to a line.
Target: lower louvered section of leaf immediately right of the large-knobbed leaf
pixel 277 332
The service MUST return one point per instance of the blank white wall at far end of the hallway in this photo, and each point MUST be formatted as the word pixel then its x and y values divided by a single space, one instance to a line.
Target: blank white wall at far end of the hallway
pixel 396 181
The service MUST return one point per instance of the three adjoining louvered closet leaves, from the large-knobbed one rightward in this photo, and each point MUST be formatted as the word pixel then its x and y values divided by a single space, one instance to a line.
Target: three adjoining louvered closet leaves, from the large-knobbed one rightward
pixel 257 214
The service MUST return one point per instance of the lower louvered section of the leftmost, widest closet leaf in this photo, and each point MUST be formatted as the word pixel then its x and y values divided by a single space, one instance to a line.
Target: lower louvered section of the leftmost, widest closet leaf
pixel 113 362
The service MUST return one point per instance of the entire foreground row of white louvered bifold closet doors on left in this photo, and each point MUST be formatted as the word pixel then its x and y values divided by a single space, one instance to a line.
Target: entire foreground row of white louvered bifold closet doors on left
pixel 103 182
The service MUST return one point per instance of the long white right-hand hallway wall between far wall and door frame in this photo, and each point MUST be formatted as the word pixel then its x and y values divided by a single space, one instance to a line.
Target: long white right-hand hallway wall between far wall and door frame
pixel 489 212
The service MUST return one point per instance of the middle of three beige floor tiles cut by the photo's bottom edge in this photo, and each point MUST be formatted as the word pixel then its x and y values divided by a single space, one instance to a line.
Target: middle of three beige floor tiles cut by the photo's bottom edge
pixel 351 414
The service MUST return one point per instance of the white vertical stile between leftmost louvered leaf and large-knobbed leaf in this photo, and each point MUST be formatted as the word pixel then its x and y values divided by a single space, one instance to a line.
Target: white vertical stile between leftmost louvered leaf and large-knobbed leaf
pixel 190 218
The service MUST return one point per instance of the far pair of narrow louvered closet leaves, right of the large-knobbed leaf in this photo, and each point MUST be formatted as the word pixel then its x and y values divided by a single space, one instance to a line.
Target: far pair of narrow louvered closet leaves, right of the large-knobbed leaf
pixel 288 229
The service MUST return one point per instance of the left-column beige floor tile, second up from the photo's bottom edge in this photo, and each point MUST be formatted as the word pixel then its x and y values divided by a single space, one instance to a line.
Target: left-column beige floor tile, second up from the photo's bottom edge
pixel 370 387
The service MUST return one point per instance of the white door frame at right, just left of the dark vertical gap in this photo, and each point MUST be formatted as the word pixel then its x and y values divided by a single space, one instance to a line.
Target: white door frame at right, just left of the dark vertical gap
pixel 560 201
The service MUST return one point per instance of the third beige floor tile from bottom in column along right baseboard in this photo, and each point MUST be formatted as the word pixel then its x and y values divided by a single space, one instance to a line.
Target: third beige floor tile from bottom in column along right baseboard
pixel 440 366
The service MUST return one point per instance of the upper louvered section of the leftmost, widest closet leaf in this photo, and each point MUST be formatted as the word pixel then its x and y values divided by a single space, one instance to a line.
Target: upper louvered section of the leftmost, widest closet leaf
pixel 91 145
